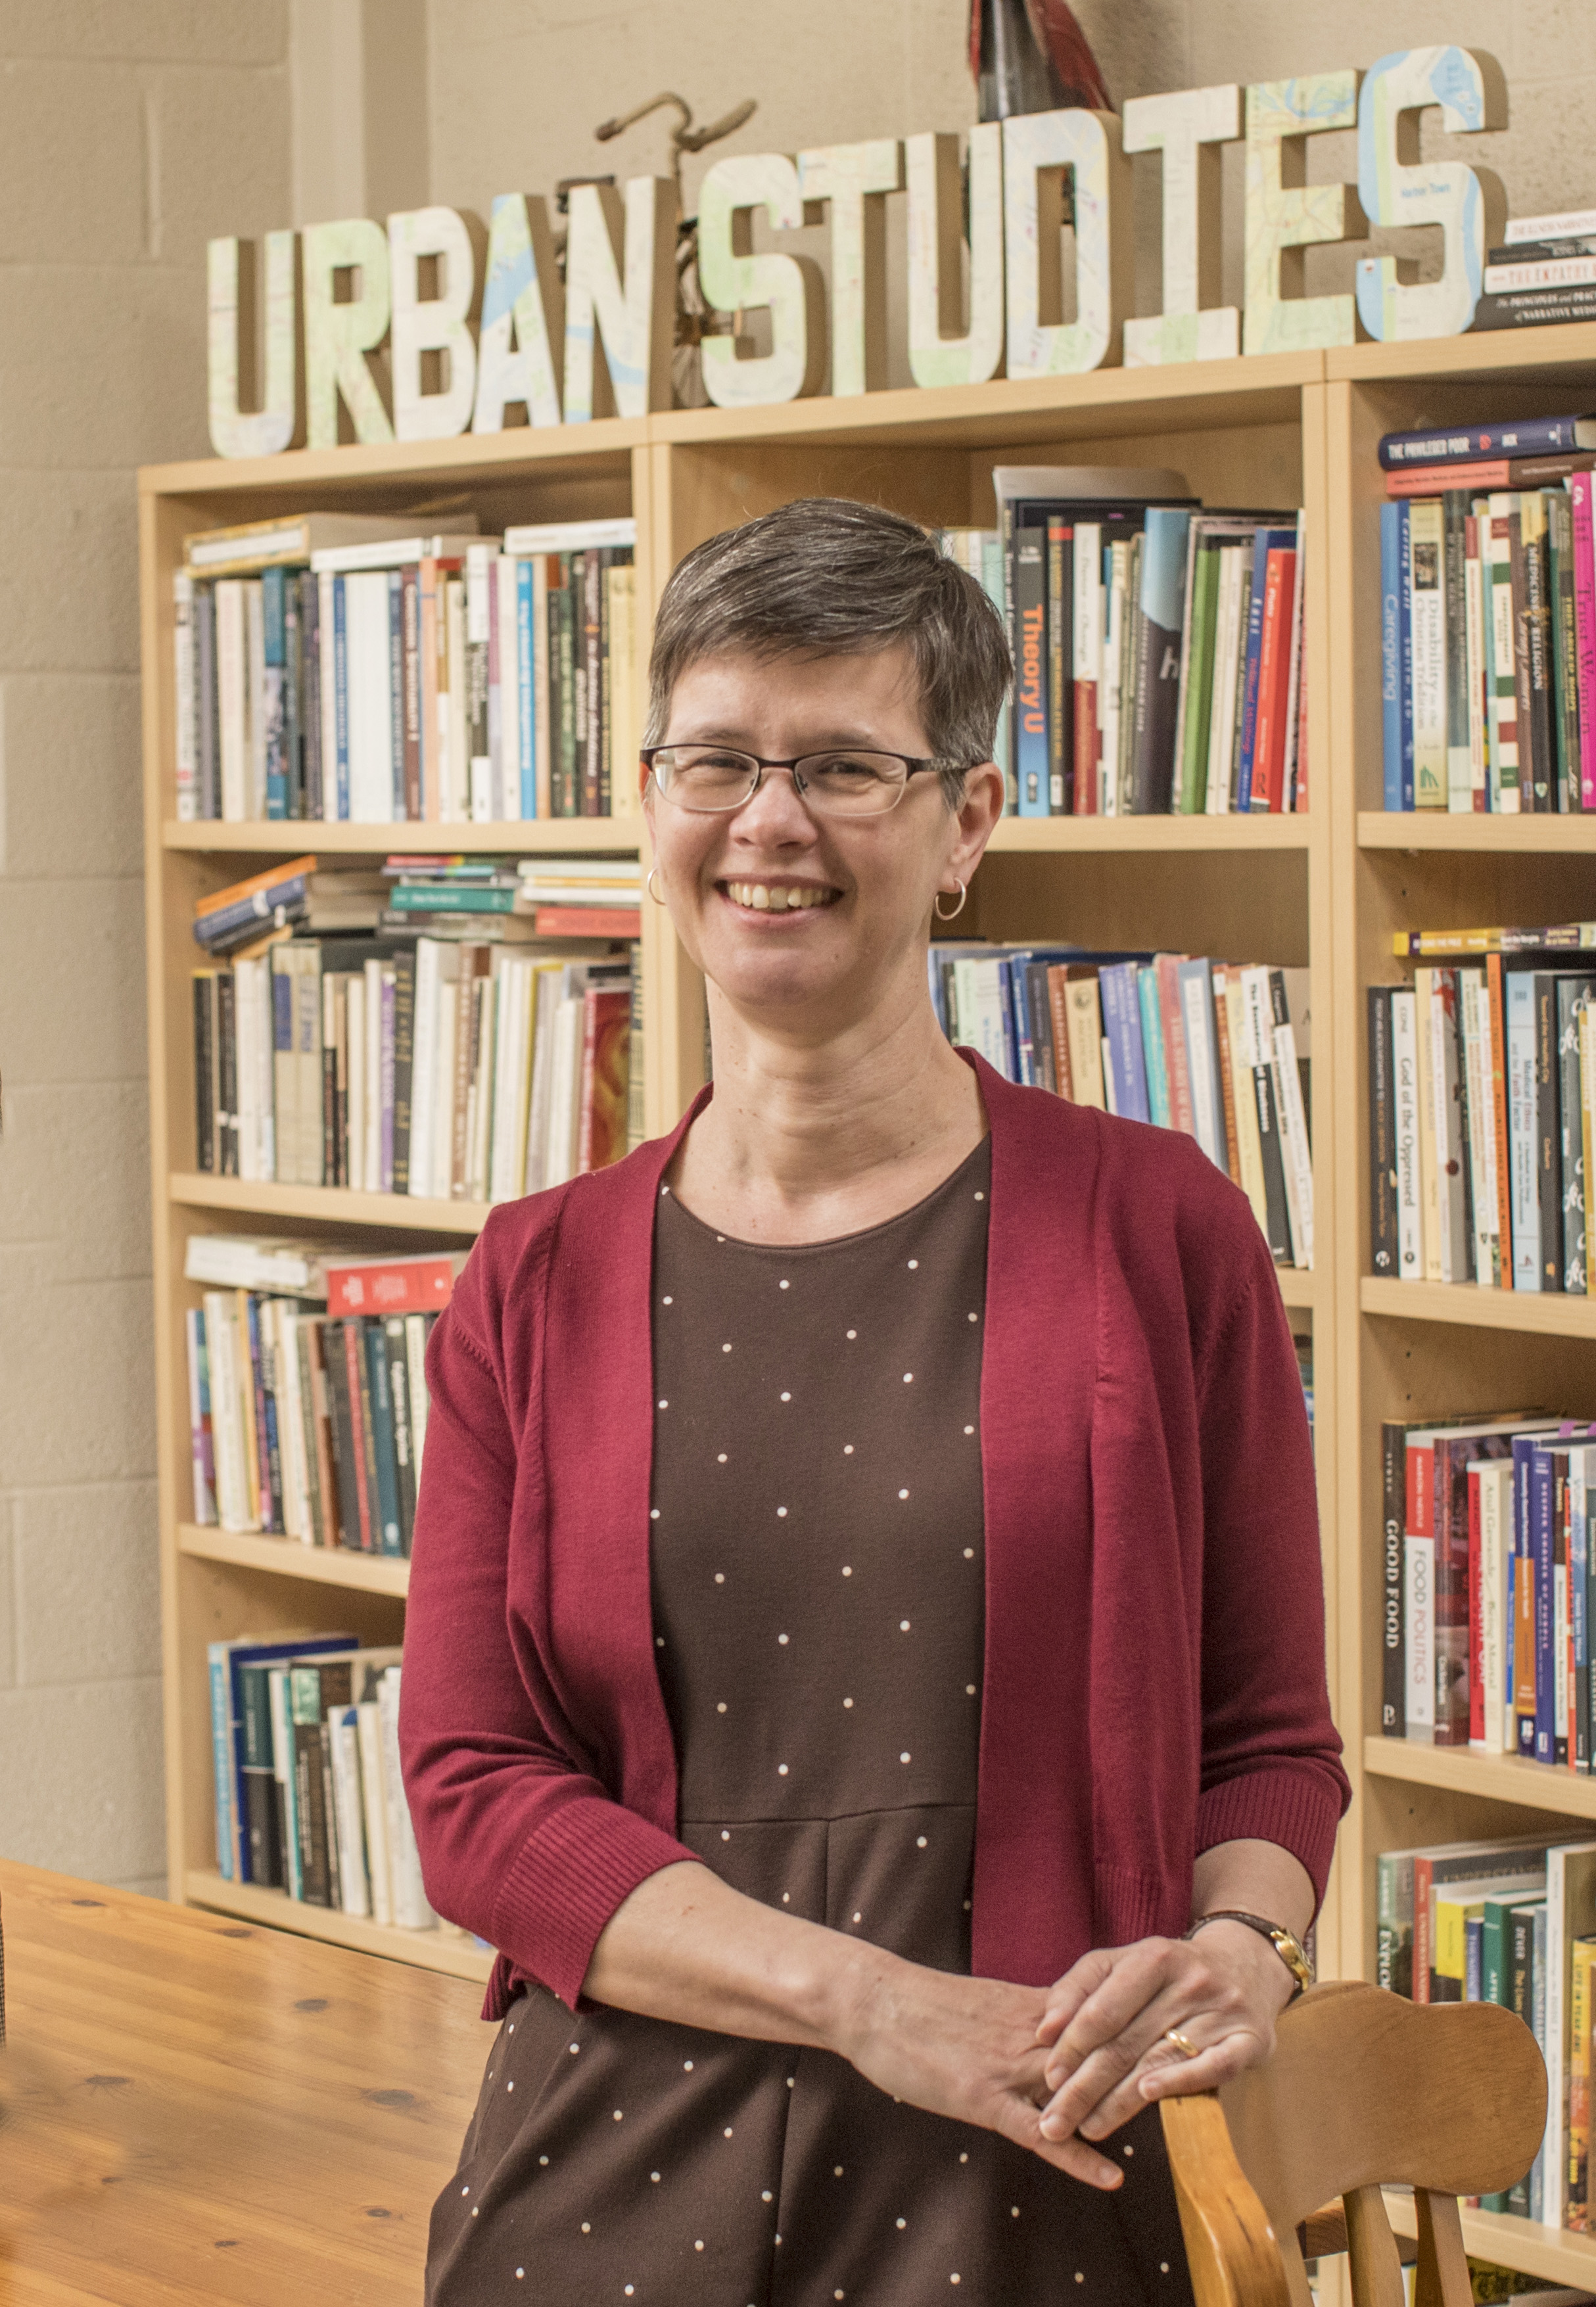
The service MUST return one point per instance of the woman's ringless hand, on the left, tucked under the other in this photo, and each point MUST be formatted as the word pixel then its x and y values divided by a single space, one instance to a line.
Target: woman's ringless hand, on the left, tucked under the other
pixel 970 2050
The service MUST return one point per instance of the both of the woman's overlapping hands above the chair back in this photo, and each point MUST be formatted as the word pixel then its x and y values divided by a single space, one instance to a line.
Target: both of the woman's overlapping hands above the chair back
pixel 1060 2068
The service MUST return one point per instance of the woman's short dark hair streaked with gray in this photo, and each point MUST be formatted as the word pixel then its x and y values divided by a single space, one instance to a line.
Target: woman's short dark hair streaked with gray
pixel 831 578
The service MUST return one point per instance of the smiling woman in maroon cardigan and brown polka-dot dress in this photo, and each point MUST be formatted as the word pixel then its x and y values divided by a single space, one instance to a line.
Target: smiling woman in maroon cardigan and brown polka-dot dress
pixel 866 1595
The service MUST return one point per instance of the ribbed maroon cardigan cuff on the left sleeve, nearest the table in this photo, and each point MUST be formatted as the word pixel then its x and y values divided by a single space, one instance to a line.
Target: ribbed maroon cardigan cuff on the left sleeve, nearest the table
pixel 569 1881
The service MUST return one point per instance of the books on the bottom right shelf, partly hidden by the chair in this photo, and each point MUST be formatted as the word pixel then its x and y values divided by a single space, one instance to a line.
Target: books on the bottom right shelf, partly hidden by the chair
pixel 1507 1923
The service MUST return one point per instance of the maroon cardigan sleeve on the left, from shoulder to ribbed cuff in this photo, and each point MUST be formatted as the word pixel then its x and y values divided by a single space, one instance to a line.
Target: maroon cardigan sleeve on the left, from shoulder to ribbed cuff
pixel 518 1835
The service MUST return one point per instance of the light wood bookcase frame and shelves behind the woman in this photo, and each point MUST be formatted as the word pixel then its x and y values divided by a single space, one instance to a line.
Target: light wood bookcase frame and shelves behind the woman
pixel 1323 889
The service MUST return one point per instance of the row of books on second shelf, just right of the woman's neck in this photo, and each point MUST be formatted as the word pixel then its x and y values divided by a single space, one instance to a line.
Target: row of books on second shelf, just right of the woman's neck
pixel 1210 1049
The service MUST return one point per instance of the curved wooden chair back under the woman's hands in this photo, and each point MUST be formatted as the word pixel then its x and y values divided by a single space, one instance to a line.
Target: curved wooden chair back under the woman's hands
pixel 1364 2091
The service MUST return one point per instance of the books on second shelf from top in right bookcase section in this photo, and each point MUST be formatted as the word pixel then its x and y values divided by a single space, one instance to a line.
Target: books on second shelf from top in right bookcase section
pixel 1482 1104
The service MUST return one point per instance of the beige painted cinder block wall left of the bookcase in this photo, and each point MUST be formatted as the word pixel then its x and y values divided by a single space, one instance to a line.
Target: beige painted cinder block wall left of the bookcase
pixel 128 135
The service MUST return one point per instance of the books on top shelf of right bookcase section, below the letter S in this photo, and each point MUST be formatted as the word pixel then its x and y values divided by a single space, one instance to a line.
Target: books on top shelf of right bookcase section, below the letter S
pixel 1489 617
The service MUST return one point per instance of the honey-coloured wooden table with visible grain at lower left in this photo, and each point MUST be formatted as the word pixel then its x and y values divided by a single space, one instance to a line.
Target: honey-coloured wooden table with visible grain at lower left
pixel 206 2112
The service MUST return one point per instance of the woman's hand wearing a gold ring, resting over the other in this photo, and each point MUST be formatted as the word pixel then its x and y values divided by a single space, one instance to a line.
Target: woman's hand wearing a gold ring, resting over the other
pixel 1104 2029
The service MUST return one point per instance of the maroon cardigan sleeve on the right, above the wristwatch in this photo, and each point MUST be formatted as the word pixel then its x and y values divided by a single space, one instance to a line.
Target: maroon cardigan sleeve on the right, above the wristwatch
pixel 1270 1750
